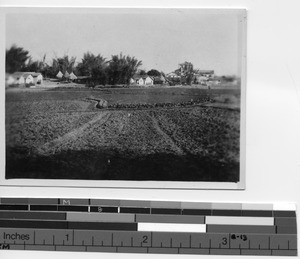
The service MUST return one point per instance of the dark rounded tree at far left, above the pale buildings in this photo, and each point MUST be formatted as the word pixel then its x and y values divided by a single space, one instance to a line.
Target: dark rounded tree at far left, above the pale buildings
pixel 16 58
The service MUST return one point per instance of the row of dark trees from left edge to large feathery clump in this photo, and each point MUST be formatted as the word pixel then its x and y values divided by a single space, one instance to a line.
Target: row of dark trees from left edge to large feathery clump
pixel 118 70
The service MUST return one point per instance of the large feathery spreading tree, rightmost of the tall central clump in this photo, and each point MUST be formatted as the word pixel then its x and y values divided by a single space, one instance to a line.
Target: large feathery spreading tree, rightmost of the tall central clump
pixel 121 68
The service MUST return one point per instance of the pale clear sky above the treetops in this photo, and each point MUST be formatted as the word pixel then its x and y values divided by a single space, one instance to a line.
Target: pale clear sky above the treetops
pixel 160 38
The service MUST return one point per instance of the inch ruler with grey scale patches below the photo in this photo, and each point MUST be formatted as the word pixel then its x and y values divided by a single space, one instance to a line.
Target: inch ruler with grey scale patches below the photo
pixel 127 226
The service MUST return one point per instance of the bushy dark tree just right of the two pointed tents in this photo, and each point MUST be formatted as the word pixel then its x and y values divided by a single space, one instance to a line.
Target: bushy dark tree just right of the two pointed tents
pixel 93 66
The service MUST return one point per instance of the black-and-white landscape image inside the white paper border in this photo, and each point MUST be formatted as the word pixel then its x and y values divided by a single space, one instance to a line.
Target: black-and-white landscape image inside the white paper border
pixel 124 94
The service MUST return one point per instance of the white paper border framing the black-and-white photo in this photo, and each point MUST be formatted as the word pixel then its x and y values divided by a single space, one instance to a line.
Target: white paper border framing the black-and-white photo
pixel 241 185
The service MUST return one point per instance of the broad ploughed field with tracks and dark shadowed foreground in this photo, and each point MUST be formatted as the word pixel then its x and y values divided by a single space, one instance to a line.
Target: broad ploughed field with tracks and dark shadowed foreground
pixel 60 134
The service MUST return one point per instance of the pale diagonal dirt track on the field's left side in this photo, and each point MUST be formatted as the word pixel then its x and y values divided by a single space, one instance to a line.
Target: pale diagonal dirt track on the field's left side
pixel 73 135
